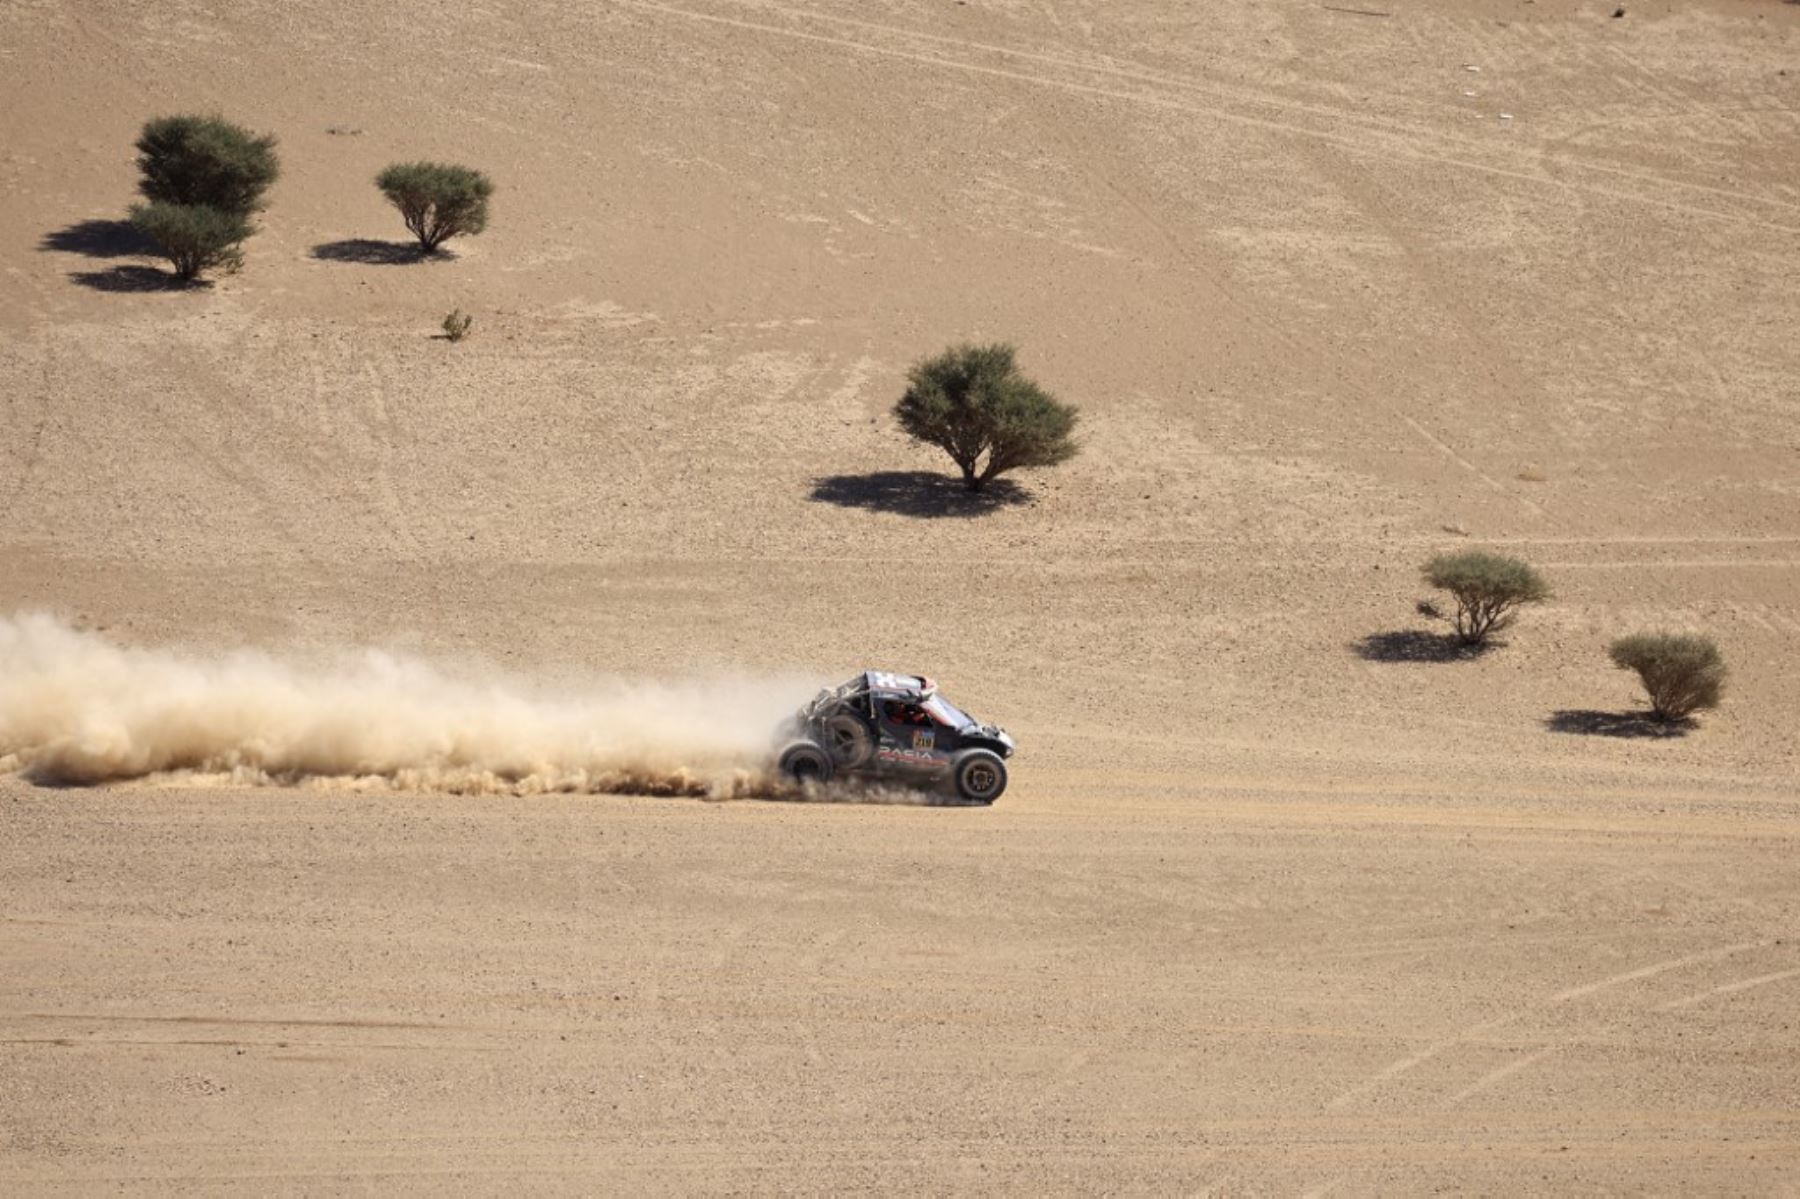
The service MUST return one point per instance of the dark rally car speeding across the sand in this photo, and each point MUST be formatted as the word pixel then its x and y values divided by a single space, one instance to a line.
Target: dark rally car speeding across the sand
pixel 897 730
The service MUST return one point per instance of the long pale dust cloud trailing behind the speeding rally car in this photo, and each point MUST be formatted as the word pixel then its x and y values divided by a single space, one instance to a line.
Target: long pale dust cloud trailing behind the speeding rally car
pixel 78 708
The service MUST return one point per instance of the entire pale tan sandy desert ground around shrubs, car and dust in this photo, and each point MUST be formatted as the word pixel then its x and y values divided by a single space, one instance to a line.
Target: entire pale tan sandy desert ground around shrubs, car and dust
pixel 1272 903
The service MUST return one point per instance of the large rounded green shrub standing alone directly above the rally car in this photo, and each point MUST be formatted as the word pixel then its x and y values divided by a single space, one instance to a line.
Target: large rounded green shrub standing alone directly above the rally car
pixel 975 404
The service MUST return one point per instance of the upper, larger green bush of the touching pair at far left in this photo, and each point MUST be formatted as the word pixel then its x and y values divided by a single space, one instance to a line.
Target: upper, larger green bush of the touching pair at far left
pixel 206 161
